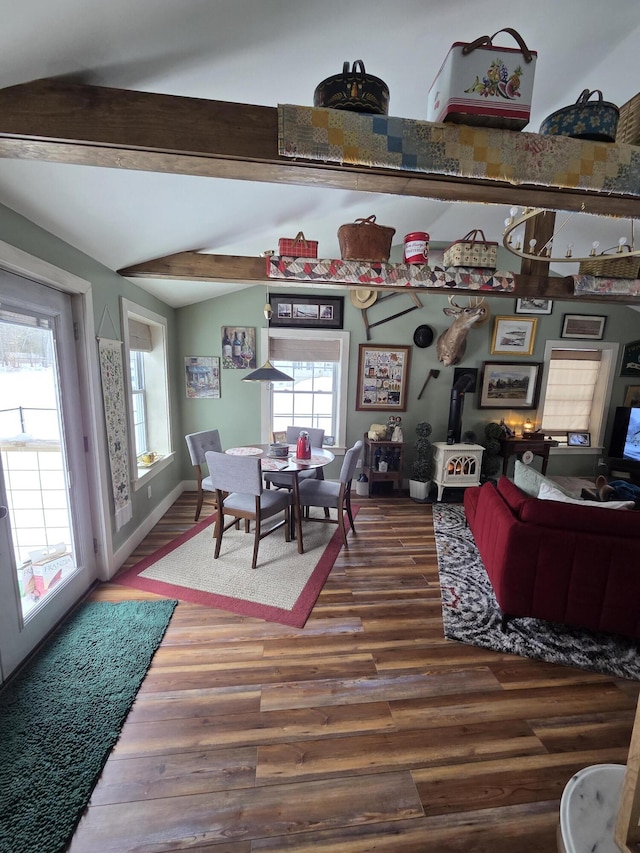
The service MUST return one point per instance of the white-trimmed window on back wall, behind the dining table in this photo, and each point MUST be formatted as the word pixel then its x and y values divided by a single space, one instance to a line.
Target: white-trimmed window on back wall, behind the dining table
pixel 318 362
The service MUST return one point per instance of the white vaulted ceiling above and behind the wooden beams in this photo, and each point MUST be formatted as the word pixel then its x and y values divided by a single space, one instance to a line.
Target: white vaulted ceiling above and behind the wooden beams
pixel 269 52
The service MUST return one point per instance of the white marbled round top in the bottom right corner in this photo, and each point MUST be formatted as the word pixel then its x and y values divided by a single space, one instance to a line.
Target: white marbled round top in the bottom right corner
pixel 589 808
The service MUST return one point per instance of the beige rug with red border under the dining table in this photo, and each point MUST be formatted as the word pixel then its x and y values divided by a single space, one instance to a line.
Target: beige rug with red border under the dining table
pixel 282 588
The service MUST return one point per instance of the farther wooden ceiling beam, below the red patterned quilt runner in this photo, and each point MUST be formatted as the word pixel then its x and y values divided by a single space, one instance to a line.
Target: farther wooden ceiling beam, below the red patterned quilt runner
pixel 197 266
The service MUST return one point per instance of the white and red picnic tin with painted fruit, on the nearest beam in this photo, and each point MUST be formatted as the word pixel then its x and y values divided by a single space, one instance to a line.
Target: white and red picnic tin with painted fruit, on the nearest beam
pixel 482 84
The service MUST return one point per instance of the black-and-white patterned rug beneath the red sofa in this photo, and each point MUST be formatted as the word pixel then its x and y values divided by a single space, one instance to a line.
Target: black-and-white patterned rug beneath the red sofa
pixel 471 614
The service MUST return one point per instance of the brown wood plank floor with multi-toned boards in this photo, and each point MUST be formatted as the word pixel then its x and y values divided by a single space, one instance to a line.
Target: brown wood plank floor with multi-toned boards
pixel 366 730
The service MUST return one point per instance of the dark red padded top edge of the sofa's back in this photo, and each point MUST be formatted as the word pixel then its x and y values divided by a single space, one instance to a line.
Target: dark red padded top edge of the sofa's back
pixel 578 518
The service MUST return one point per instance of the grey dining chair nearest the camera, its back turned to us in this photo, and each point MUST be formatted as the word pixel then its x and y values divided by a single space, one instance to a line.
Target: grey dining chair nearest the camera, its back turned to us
pixel 237 481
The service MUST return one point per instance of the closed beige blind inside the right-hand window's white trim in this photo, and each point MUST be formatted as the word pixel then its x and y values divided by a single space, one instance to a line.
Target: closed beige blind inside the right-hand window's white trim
pixel 571 383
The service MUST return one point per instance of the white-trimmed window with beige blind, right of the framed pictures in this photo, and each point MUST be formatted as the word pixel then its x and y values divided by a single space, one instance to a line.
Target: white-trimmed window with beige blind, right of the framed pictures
pixel 577 388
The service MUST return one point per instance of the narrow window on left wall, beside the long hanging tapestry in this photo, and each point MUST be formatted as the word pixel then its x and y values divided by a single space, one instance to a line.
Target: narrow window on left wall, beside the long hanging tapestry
pixel 145 342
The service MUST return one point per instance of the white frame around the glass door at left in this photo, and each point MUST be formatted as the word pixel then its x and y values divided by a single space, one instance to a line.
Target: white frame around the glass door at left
pixel 22 263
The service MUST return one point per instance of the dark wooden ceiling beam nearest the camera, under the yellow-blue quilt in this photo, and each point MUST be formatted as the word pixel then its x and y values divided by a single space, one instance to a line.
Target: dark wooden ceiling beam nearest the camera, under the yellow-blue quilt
pixel 65 122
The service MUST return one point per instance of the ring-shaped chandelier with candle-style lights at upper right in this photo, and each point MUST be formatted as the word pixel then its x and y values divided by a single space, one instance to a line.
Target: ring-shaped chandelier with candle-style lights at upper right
pixel 515 243
